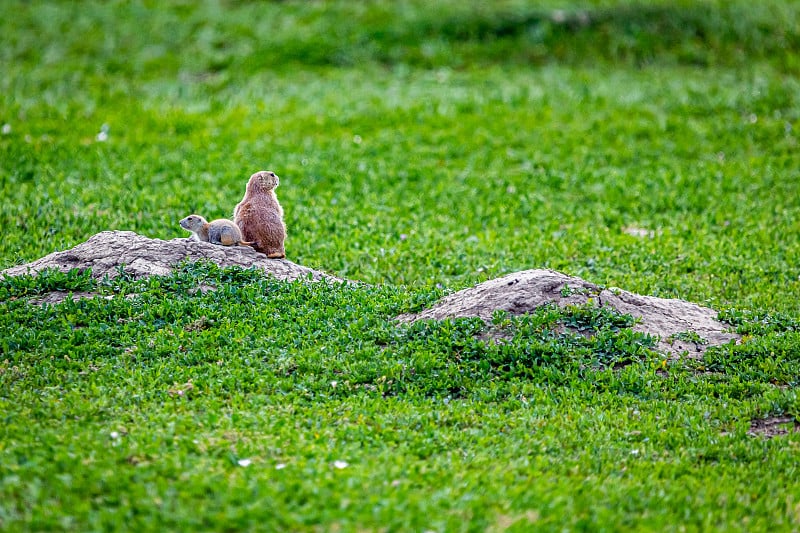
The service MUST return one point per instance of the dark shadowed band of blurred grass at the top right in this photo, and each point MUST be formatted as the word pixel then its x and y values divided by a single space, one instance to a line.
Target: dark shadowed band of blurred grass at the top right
pixel 696 33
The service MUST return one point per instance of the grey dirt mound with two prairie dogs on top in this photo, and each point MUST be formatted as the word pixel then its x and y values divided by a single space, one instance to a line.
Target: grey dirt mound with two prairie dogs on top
pixel 141 256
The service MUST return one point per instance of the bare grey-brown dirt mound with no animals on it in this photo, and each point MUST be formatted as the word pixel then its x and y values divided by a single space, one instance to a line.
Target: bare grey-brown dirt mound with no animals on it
pixel 680 326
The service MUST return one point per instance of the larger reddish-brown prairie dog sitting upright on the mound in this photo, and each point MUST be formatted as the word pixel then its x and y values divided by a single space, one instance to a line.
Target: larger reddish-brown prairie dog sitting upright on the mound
pixel 260 216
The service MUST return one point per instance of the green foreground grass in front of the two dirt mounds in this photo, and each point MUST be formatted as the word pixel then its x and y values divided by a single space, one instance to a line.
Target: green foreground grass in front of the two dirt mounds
pixel 143 421
